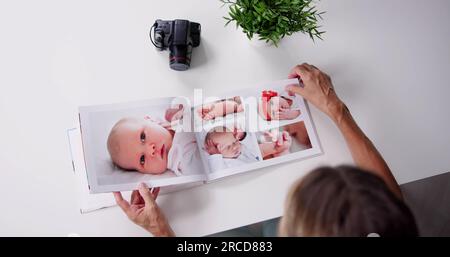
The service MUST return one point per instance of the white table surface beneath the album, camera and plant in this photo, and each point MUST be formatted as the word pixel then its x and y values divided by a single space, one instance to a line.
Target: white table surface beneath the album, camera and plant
pixel 389 60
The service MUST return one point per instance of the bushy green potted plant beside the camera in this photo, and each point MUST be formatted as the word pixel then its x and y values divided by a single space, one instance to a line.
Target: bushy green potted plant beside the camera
pixel 271 20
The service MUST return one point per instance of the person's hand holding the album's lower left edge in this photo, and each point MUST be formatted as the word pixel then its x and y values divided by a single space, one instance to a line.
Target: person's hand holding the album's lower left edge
pixel 143 210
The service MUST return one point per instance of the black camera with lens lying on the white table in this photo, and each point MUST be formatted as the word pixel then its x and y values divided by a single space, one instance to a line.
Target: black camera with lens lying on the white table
pixel 179 36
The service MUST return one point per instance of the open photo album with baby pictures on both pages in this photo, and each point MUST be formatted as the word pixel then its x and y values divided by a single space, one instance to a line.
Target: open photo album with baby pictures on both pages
pixel 176 141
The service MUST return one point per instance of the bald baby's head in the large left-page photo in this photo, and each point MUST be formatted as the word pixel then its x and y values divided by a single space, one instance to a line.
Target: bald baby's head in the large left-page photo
pixel 139 144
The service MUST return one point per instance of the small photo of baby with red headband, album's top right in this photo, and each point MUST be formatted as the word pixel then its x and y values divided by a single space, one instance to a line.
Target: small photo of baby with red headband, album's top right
pixel 278 105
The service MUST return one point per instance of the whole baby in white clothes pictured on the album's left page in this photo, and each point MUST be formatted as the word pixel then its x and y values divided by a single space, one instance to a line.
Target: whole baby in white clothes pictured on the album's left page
pixel 151 146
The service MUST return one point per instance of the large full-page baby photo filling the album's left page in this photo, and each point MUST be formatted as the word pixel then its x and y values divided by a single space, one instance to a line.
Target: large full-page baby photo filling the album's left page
pixel 138 142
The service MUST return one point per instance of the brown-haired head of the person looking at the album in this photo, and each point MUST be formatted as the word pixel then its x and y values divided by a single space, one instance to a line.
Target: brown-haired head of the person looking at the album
pixel 345 201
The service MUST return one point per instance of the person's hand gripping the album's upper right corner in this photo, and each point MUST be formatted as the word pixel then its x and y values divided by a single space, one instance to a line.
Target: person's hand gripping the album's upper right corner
pixel 317 88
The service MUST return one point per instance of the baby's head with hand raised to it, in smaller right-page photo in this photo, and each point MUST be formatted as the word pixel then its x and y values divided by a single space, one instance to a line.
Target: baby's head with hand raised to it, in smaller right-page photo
pixel 221 140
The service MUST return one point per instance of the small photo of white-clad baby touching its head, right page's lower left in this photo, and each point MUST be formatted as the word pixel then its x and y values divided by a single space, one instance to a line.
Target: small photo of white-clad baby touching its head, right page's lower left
pixel 225 147
